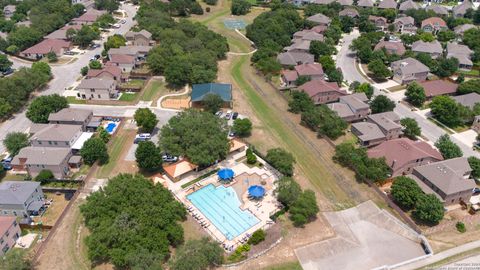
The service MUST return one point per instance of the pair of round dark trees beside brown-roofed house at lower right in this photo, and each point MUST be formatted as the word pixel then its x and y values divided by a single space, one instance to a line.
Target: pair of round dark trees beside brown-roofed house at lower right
pixel 408 195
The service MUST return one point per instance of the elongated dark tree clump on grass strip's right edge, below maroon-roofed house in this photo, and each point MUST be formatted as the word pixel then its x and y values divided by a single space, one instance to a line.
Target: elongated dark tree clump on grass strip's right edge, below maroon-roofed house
pixel 318 118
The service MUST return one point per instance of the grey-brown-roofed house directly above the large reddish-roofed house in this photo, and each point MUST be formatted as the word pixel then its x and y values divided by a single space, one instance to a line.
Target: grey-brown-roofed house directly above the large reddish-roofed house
pixel 378 128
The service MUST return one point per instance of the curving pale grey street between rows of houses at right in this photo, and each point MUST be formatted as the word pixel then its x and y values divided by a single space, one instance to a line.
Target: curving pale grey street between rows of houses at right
pixel 346 61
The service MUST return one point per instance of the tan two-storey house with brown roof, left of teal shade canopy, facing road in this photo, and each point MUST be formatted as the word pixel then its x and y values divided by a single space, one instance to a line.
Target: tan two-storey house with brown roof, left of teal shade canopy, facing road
pixel 97 88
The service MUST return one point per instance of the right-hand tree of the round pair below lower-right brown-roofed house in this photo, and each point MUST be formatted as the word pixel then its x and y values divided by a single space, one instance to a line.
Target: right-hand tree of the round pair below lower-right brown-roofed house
pixel 428 208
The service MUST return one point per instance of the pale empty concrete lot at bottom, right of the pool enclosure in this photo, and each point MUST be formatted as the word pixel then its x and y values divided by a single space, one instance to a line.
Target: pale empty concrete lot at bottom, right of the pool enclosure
pixel 366 238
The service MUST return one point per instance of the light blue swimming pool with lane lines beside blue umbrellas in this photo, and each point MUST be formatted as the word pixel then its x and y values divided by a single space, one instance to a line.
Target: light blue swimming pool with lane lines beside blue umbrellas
pixel 222 207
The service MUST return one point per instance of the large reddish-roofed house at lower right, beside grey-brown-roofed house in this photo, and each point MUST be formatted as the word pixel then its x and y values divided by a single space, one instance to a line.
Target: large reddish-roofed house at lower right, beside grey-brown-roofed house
pixel 402 155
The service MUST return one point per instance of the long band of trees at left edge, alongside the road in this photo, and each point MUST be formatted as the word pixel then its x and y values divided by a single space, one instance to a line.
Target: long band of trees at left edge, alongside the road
pixel 15 90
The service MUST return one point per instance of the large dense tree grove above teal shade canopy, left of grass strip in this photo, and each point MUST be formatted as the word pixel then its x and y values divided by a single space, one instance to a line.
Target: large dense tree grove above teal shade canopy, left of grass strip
pixel 188 51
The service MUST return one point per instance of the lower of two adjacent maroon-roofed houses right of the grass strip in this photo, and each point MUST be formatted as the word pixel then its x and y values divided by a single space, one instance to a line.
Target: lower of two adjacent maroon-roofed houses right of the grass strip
pixel 322 92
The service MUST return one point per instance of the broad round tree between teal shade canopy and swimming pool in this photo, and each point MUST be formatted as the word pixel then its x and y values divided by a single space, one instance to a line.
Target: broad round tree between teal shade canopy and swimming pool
pixel 200 136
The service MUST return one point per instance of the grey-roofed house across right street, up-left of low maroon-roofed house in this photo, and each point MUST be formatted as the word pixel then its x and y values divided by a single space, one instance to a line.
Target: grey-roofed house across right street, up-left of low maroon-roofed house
pixel 408 70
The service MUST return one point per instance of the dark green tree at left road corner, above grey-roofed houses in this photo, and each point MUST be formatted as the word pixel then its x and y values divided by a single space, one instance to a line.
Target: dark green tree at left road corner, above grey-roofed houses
pixel 42 106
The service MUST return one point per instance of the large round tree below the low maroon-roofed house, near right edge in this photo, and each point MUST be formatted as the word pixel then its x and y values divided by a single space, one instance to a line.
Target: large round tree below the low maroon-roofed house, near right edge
pixel 445 110
